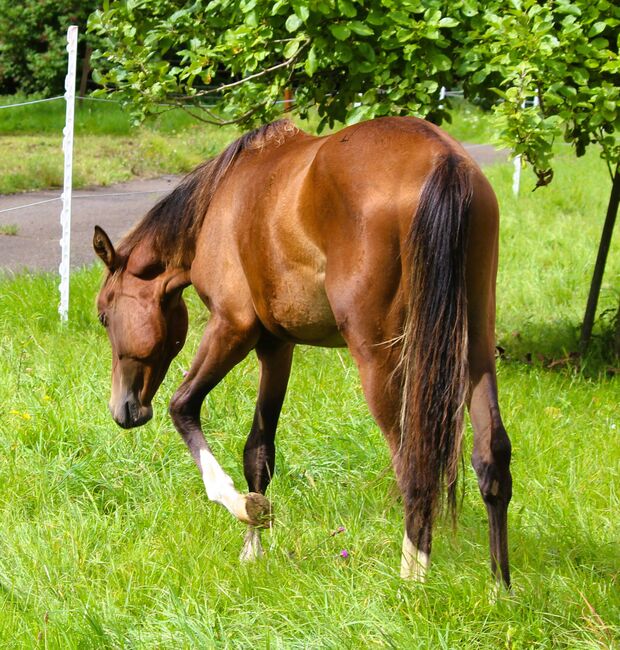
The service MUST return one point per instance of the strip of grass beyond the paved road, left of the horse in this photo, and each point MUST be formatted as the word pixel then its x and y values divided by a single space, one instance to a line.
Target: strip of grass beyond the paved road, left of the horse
pixel 107 148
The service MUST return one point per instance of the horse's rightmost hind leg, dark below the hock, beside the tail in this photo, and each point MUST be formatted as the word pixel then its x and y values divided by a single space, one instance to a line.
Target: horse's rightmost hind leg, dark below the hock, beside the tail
pixel 491 454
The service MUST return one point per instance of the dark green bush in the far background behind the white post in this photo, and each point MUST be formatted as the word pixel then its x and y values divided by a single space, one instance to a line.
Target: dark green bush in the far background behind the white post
pixel 33 57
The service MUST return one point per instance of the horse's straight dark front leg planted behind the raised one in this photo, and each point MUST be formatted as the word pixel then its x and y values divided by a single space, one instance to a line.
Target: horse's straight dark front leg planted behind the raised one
pixel 275 358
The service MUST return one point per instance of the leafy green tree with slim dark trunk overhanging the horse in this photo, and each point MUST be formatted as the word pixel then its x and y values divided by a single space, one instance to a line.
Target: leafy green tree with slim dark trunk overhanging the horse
pixel 230 61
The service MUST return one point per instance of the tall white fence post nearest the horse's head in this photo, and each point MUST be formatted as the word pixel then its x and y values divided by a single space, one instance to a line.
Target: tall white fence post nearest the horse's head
pixel 67 146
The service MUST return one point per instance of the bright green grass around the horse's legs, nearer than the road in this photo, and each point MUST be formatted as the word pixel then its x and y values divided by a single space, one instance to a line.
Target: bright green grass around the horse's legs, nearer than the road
pixel 107 539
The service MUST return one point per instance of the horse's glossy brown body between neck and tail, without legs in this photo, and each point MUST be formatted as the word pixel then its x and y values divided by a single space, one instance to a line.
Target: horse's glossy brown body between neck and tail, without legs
pixel 311 230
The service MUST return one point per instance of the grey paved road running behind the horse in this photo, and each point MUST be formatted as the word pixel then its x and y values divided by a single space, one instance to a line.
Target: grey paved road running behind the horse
pixel 115 208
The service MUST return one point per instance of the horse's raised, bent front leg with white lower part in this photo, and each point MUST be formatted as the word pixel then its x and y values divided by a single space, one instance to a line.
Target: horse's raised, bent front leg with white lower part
pixel 224 344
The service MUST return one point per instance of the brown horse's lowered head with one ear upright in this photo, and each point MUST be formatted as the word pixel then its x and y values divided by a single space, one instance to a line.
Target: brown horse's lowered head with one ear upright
pixel 142 309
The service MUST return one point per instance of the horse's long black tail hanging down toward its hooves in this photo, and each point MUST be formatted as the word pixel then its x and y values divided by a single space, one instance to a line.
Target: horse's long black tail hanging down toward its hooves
pixel 434 357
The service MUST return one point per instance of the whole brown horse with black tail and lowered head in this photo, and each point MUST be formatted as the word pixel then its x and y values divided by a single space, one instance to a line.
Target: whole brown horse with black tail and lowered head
pixel 383 238
